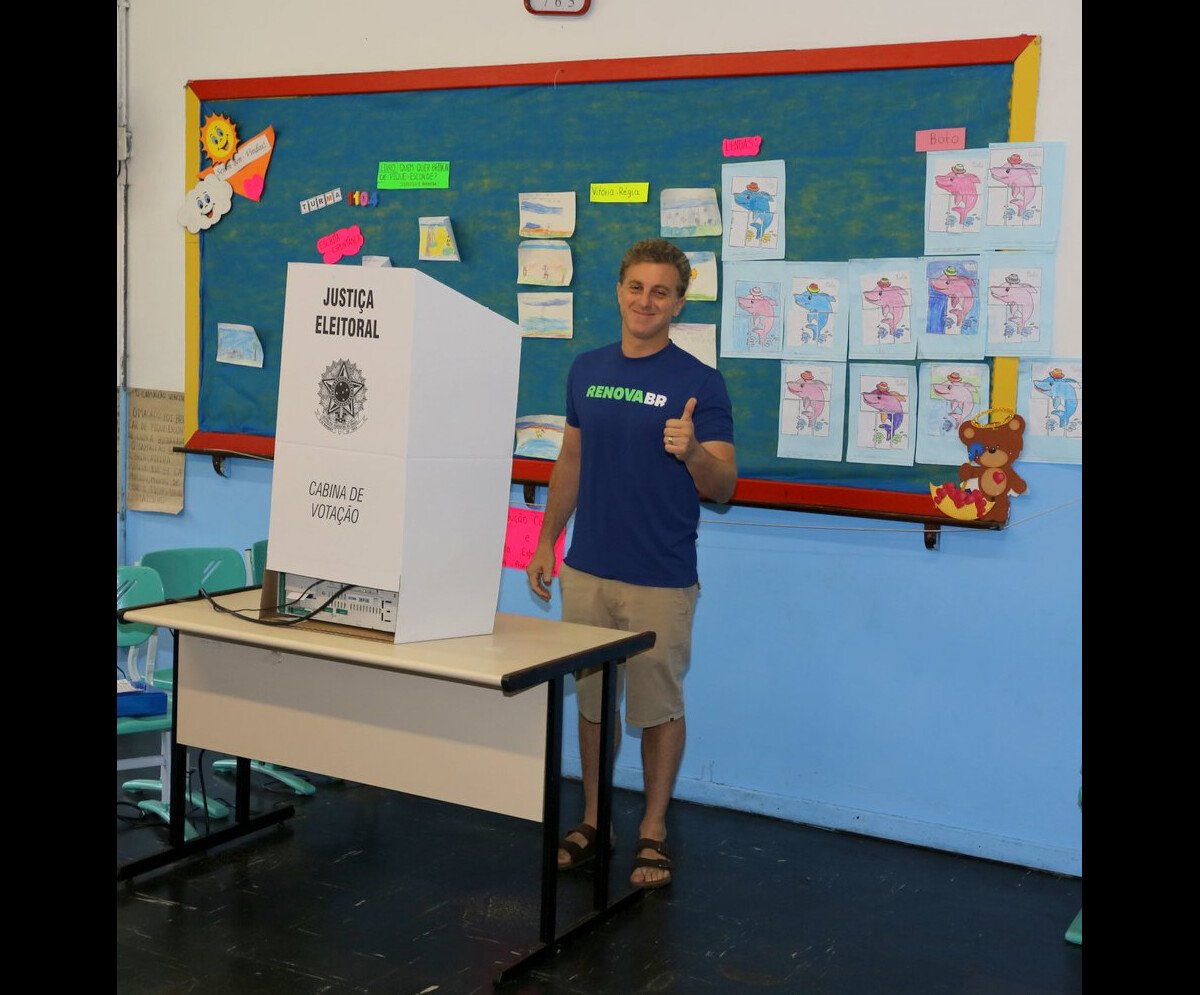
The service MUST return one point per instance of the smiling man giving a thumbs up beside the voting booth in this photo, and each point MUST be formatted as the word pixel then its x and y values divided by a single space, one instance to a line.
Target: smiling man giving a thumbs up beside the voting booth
pixel 650 431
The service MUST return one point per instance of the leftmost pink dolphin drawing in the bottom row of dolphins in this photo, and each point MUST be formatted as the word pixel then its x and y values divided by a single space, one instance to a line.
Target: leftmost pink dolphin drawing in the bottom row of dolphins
pixel 812 411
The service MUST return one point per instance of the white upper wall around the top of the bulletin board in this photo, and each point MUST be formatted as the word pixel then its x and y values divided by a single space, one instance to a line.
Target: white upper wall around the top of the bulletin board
pixel 171 44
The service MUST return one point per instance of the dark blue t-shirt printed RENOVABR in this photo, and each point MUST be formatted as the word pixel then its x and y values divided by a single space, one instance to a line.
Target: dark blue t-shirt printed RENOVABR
pixel 638 508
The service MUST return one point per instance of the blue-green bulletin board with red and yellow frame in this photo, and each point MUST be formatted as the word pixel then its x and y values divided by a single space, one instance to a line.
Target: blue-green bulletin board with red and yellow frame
pixel 844 122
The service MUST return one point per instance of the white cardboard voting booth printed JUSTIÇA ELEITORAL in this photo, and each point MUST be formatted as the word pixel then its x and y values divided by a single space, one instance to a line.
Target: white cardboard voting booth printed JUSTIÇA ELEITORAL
pixel 393 453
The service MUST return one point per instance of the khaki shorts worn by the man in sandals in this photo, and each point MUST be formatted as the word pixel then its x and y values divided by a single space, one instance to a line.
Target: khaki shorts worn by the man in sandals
pixel 656 678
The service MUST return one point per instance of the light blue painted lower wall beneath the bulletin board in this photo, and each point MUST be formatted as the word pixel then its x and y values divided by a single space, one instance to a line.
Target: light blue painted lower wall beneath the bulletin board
pixel 843 675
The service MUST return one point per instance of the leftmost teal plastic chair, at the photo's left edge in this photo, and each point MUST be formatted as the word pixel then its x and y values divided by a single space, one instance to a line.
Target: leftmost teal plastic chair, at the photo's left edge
pixel 140 643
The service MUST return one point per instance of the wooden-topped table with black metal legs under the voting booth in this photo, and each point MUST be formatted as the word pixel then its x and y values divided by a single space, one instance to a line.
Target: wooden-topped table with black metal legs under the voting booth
pixel 476 721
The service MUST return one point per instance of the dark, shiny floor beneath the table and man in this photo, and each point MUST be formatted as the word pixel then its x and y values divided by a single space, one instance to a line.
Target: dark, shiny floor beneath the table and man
pixel 367 890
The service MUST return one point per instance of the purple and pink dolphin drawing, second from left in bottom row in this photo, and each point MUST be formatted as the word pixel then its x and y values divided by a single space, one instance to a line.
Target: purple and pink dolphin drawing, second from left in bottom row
pixel 884 407
